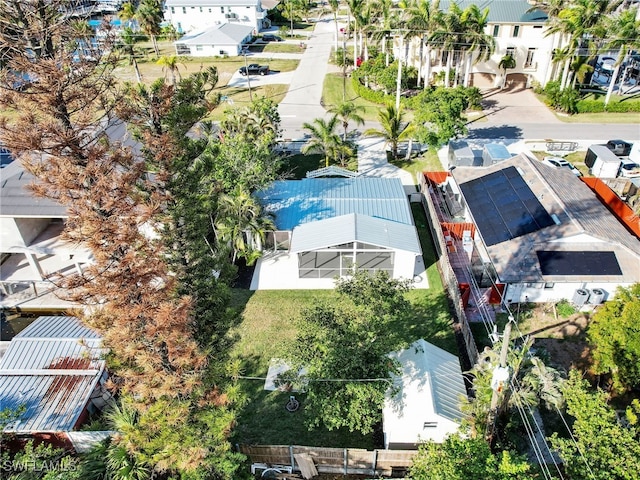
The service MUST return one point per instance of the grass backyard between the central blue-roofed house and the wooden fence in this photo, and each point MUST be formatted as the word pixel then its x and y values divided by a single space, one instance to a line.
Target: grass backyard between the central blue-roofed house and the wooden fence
pixel 269 320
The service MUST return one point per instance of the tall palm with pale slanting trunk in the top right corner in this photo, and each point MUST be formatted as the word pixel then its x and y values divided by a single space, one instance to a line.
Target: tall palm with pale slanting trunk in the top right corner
pixel 625 31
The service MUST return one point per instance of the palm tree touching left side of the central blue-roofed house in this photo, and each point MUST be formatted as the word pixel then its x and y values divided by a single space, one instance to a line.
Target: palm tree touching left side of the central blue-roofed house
pixel 242 224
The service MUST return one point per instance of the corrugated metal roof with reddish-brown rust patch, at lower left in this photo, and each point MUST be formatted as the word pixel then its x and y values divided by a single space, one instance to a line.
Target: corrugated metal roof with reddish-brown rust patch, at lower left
pixel 51 368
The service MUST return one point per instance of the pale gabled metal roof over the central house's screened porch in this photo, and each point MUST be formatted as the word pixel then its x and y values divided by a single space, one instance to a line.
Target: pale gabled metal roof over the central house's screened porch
pixel 354 227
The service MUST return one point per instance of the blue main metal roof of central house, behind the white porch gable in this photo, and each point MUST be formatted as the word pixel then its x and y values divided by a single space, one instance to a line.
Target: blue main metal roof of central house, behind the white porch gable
pixel 296 202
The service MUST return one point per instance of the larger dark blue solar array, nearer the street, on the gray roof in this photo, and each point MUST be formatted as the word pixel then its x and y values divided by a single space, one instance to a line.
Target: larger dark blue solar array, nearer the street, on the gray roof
pixel 504 207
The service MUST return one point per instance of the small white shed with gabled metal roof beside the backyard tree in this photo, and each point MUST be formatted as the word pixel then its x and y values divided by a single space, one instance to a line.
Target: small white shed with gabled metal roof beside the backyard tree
pixel 427 404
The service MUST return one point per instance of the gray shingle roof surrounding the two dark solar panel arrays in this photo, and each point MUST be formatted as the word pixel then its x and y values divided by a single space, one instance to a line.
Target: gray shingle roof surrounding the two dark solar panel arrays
pixel 584 224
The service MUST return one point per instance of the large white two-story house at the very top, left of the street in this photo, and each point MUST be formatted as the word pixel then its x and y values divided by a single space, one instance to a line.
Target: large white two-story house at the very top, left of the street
pixel 189 16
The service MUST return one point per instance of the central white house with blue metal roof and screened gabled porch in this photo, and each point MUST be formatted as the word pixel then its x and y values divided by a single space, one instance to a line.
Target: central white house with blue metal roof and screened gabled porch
pixel 328 226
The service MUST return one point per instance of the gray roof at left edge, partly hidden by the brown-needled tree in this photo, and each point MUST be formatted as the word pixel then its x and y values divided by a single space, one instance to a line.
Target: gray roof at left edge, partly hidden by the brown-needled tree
pixel 17 201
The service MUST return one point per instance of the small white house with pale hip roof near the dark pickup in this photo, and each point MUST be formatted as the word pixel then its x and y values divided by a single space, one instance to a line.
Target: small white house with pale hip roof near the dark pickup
pixel 225 39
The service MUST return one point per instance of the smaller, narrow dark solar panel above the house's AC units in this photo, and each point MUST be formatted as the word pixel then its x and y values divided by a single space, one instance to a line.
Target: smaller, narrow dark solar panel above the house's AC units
pixel 578 263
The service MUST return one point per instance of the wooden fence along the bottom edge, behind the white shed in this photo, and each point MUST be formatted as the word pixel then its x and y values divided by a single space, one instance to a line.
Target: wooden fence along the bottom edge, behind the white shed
pixel 334 460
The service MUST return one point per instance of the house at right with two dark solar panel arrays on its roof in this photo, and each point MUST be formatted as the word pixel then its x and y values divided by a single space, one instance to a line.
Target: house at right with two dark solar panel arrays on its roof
pixel 542 233
